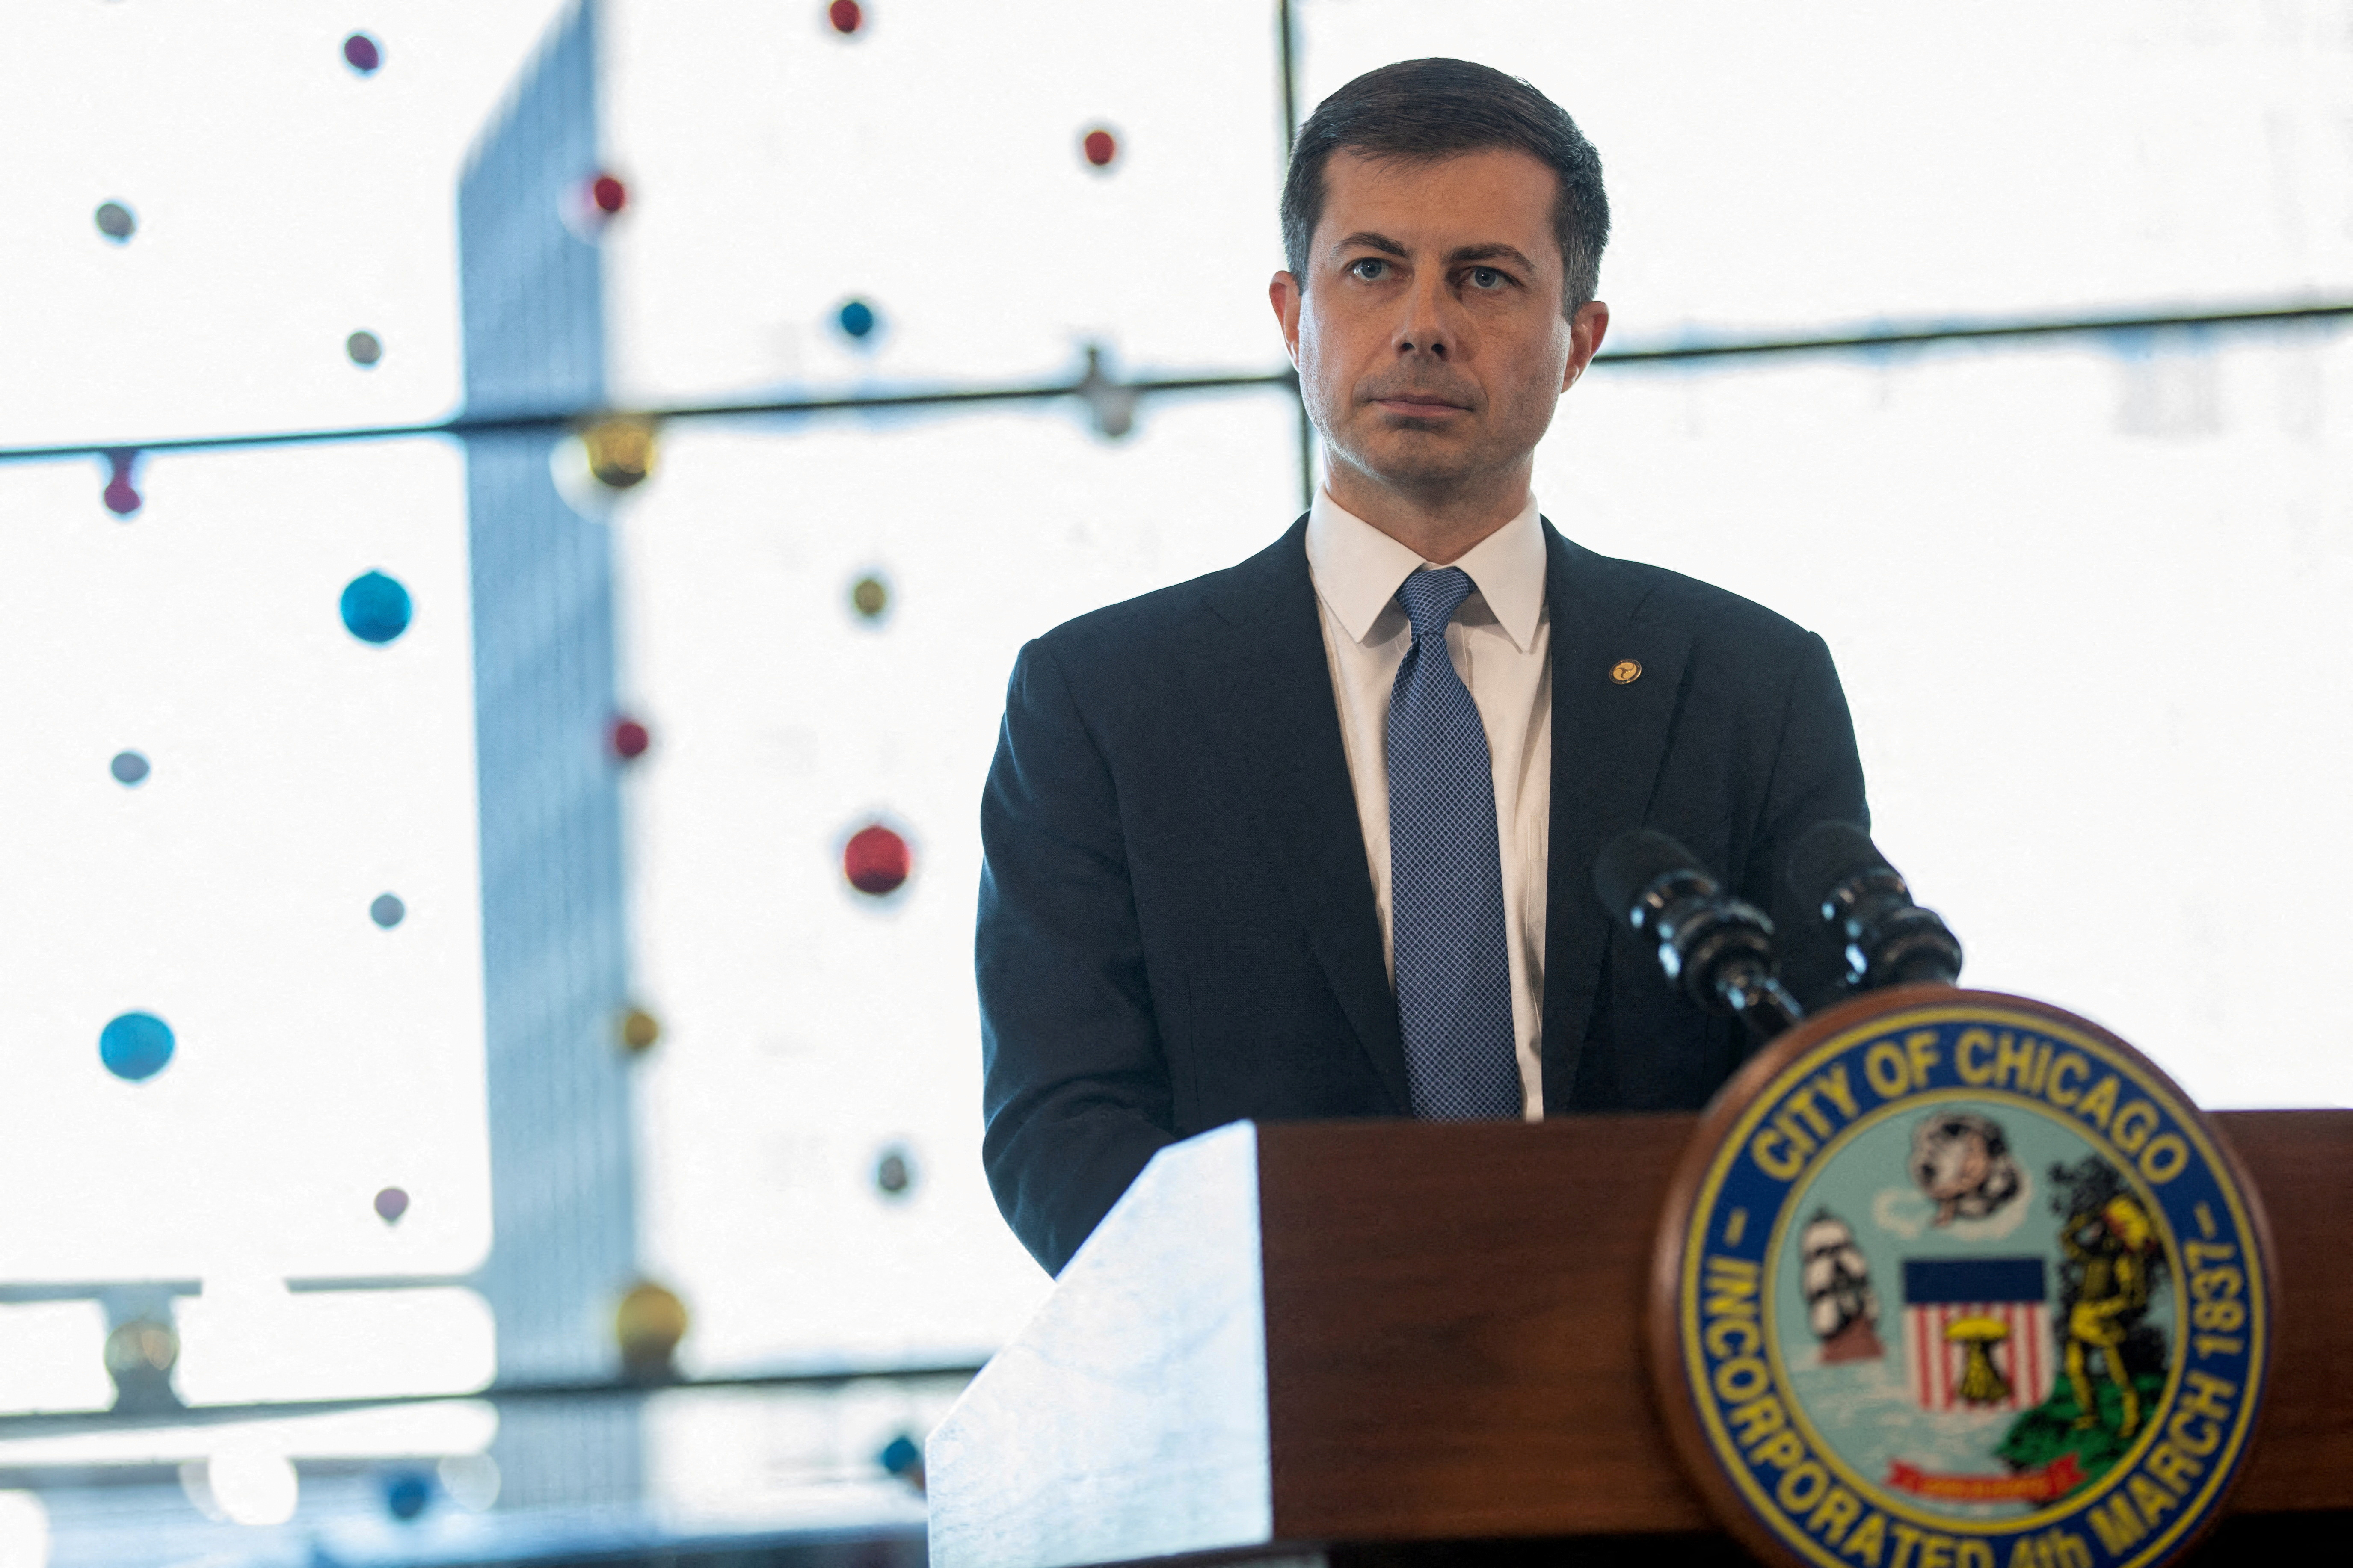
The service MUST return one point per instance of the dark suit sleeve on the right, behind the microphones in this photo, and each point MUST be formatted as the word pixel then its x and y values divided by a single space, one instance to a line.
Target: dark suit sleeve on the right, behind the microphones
pixel 1815 777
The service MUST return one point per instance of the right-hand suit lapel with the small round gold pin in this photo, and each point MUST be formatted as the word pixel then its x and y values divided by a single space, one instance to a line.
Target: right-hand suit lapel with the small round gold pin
pixel 1608 744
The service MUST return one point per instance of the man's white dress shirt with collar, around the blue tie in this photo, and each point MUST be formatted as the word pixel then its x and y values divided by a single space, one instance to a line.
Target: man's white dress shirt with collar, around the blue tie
pixel 1500 643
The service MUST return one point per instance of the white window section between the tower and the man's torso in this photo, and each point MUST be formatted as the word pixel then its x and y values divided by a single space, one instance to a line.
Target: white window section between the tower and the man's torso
pixel 811 1031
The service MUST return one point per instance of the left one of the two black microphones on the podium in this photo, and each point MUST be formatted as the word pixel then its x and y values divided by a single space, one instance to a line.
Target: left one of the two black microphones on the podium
pixel 1714 949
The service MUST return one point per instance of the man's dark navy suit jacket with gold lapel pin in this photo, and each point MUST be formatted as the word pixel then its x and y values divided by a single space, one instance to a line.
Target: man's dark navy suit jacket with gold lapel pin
pixel 1178 923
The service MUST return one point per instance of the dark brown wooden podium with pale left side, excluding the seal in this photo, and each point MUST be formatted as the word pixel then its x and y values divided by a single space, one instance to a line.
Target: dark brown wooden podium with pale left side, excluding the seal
pixel 1422 1341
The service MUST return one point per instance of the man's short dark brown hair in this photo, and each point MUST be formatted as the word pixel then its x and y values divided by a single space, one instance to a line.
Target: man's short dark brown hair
pixel 1429 109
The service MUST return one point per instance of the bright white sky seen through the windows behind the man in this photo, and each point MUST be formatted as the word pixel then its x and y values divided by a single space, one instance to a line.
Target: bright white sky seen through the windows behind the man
pixel 2084 596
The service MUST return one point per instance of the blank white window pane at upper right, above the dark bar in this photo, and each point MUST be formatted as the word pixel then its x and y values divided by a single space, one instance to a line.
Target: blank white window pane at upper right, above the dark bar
pixel 1782 168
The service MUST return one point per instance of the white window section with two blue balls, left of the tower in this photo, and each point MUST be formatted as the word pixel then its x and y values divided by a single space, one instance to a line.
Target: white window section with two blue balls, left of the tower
pixel 234 817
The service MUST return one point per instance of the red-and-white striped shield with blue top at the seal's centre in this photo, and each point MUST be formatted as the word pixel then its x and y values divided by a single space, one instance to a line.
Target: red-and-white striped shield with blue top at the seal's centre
pixel 1978 1334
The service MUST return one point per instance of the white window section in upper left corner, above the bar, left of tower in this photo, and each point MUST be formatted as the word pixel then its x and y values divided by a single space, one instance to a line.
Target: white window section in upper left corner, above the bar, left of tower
pixel 279 203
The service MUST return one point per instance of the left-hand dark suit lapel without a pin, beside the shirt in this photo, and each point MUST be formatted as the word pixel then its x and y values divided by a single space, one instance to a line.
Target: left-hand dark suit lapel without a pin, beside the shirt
pixel 1269 685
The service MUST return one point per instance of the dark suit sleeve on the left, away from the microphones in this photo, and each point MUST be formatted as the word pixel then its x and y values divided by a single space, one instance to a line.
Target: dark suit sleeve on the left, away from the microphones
pixel 1074 1083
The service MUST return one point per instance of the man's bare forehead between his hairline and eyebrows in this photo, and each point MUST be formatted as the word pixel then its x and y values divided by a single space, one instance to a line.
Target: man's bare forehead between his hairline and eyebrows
pixel 1484 196
